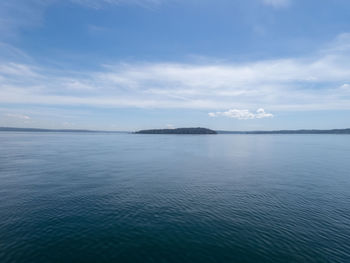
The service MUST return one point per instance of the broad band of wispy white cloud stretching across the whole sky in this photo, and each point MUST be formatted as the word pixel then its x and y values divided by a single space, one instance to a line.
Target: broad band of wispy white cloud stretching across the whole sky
pixel 284 84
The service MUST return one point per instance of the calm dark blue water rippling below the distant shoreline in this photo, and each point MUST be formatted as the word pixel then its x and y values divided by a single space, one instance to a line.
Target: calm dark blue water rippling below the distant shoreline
pixel 80 197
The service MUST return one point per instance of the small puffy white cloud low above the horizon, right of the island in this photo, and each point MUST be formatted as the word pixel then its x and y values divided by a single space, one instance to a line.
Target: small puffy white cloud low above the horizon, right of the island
pixel 242 114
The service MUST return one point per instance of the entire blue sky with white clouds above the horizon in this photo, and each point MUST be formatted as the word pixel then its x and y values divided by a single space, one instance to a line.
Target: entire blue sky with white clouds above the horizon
pixel 137 64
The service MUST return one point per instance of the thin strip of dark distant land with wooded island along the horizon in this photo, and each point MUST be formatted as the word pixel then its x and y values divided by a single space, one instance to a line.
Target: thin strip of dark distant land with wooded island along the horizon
pixel 180 131
